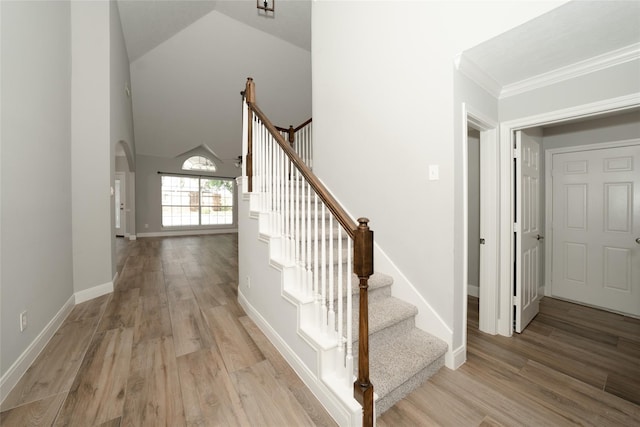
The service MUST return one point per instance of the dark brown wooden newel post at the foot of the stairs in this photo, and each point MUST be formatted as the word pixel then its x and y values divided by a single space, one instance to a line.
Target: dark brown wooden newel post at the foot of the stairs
pixel 363 268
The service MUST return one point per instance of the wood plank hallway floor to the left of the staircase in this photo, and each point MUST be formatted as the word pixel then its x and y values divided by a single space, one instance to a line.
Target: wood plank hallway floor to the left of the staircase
pixel 170 347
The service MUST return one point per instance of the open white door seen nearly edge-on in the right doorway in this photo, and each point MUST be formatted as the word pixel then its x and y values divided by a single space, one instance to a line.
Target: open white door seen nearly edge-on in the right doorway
pixel 526 289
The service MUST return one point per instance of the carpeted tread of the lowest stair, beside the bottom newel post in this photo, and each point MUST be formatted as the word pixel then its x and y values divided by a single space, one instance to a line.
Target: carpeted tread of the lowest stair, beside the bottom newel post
pixel 403 357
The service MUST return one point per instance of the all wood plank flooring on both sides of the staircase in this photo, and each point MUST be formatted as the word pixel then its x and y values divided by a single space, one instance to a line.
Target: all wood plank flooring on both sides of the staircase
pixel 171 346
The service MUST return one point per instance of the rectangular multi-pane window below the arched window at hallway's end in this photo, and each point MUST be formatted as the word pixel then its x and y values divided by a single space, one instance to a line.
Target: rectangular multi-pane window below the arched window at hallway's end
pixel 194 201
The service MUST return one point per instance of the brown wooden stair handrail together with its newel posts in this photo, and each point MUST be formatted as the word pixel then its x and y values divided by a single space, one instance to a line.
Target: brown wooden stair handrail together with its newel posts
pixel 362 249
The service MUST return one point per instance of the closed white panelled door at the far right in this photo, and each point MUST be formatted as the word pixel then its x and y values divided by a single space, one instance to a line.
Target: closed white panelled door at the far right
pixel 596 227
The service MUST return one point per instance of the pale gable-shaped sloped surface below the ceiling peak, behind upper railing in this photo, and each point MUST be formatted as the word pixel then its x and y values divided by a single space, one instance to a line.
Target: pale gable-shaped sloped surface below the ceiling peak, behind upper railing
pixel 174 112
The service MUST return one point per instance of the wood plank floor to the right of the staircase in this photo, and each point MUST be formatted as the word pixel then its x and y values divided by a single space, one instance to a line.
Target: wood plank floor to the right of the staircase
pixel 573 365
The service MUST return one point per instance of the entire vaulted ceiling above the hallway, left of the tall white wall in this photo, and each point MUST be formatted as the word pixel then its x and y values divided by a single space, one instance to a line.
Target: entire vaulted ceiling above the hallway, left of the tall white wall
pixel 190 60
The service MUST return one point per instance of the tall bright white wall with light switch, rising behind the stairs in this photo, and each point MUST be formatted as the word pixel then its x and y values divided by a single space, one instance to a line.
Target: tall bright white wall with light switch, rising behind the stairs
pixel 383 98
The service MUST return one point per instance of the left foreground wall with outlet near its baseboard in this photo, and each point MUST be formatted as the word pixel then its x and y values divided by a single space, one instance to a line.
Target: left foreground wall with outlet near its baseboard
pixel 37 272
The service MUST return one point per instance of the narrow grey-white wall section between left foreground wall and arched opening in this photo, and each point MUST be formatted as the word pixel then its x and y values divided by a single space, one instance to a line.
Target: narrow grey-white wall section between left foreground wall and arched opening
pixel 91 153
